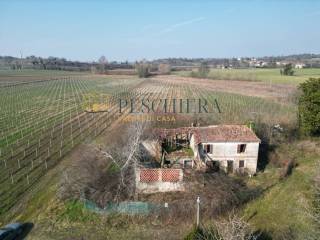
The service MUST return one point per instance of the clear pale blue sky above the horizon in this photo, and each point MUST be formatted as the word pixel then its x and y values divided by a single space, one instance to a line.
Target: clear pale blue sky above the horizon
pixel 133 30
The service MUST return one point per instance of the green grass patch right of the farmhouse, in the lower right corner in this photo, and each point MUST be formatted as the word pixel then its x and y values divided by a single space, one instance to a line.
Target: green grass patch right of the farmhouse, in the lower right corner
pixel 281 210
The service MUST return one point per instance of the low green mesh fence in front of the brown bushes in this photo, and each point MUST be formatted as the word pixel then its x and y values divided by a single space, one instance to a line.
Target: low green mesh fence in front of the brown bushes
pixel 123 207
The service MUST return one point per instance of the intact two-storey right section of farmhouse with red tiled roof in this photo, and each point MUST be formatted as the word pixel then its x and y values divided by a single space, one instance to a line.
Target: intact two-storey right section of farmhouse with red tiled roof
pixel 232 148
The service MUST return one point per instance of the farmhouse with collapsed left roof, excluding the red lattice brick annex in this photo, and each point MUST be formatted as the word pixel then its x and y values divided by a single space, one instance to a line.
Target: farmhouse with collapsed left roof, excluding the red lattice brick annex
pixel 231 148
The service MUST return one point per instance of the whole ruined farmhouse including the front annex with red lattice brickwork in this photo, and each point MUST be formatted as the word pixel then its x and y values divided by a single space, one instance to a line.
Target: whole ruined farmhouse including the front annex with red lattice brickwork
pixel 228 148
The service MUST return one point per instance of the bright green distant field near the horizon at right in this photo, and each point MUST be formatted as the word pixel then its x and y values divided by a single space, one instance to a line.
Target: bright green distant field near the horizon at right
pixel 264 75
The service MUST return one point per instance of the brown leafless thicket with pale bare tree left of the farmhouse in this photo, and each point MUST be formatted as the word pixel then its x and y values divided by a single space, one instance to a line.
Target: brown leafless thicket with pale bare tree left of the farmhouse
pixel 103 175
